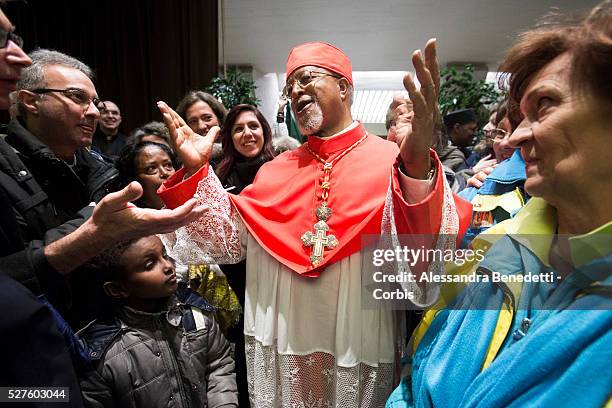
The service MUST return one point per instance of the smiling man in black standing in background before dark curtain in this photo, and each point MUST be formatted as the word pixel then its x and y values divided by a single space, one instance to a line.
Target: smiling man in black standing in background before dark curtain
pixel 108 140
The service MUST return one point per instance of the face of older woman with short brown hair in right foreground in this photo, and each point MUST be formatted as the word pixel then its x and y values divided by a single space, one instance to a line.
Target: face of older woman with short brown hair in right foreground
pixel 564 136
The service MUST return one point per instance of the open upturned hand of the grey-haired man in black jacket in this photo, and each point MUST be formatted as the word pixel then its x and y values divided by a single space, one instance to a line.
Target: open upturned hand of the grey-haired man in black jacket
pixel 115 218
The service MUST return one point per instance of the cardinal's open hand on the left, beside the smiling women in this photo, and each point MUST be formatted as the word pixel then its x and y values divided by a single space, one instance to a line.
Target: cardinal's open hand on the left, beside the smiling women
pixel 194 150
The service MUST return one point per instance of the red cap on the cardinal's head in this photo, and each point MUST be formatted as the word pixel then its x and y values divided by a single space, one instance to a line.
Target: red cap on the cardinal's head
pixel 322 55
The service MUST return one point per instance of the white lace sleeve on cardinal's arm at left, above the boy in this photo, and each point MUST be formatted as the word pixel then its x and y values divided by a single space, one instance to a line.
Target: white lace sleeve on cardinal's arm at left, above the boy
pixel 218 237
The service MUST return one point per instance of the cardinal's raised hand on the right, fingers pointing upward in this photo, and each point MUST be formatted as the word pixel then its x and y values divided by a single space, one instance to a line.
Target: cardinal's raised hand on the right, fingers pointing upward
pixel 415 139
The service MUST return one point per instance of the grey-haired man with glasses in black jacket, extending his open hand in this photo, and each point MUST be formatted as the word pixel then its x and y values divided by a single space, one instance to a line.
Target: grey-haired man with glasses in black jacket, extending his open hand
pixel 49 180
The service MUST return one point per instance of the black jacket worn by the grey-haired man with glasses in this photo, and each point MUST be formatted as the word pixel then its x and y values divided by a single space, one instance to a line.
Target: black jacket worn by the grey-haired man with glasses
pixel 42 200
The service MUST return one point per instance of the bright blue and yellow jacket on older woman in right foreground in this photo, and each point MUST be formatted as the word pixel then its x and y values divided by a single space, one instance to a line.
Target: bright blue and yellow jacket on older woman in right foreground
pixel 493 344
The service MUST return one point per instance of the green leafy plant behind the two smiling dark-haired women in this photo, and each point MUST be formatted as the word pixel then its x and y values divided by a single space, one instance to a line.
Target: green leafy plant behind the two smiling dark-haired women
pixel 233 88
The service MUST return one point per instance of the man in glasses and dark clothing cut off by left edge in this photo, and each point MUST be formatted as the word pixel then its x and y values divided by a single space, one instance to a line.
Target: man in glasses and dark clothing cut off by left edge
pixel 32 351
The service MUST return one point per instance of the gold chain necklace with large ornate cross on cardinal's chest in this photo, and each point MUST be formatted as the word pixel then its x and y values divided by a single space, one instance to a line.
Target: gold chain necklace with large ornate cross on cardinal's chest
pixel 318 240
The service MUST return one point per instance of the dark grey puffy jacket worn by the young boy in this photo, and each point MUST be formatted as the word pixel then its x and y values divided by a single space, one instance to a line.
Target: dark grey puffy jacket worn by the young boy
pixel 174 358
